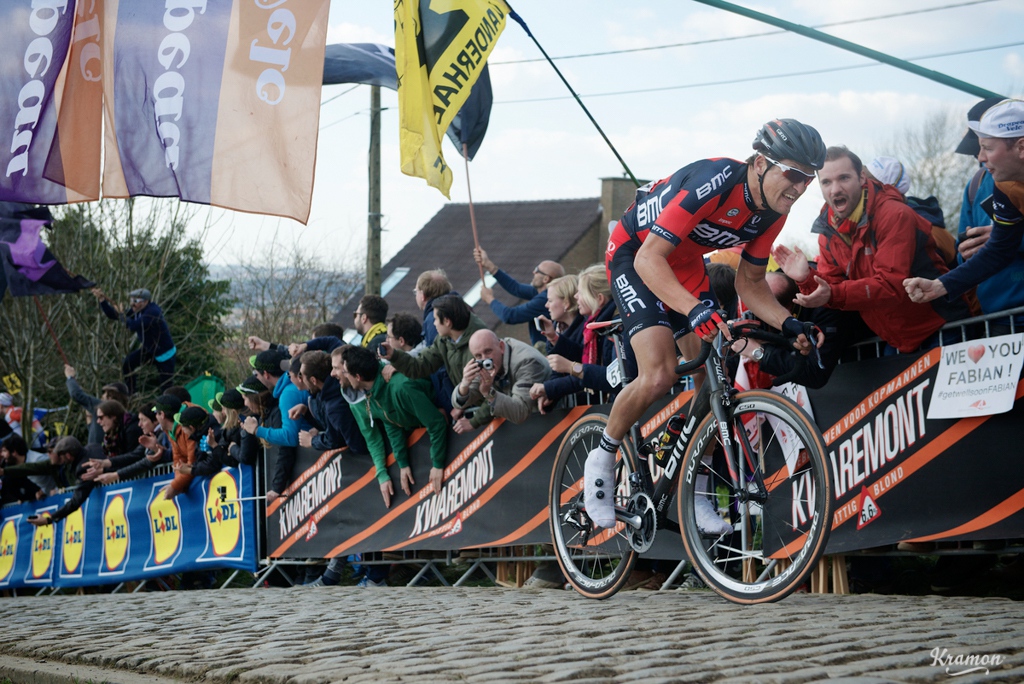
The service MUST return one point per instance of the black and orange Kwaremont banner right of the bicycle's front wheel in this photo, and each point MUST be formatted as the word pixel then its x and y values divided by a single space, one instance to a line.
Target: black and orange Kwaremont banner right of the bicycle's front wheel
pixel 900 475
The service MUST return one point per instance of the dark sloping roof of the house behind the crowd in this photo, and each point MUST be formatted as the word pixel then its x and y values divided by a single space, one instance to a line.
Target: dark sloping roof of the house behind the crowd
pixel 517 236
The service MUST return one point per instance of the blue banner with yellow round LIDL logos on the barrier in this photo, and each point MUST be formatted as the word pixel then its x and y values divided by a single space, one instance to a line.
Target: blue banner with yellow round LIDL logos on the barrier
pixel 127 532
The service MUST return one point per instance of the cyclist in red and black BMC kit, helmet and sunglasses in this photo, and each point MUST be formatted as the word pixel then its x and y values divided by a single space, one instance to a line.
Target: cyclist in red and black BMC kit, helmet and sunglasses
pixel 656 266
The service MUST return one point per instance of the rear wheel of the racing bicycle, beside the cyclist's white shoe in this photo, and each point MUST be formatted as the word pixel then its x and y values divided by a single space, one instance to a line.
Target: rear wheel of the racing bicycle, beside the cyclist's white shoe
pixel 596 563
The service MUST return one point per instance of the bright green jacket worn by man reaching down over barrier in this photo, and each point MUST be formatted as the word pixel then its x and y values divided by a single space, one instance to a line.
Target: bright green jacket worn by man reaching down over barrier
pixel 403 405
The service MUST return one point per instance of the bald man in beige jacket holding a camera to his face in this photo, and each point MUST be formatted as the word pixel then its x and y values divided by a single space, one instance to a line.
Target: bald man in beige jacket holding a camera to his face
pixel 498 380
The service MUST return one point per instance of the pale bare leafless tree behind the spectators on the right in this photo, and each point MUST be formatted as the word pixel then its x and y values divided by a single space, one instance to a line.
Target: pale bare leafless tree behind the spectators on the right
pixel 927 152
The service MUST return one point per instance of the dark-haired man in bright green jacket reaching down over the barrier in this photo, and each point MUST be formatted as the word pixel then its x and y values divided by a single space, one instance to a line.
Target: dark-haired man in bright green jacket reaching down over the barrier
pixel 403 405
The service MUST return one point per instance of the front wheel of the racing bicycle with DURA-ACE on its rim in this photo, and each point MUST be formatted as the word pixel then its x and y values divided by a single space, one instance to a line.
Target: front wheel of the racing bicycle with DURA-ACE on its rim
pixel 782 510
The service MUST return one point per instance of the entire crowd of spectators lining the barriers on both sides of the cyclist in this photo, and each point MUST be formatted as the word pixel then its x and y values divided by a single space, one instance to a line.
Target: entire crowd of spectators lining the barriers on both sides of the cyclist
pixel 881 270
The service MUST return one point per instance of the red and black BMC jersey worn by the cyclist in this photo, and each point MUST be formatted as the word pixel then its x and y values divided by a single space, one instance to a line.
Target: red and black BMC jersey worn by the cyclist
pixel 703 207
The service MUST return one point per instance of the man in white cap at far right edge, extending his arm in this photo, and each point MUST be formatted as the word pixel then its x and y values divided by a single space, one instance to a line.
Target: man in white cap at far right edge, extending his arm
pixel 1001 139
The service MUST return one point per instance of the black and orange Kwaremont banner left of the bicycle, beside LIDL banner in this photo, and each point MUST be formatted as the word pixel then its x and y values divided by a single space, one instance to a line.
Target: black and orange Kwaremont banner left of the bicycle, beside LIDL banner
pixel 495 494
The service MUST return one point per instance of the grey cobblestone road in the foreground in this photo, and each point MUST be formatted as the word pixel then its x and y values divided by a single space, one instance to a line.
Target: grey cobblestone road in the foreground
pixel 347 634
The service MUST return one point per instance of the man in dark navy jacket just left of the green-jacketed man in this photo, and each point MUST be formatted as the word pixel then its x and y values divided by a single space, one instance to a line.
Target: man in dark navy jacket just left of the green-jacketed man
pixel 329 408
